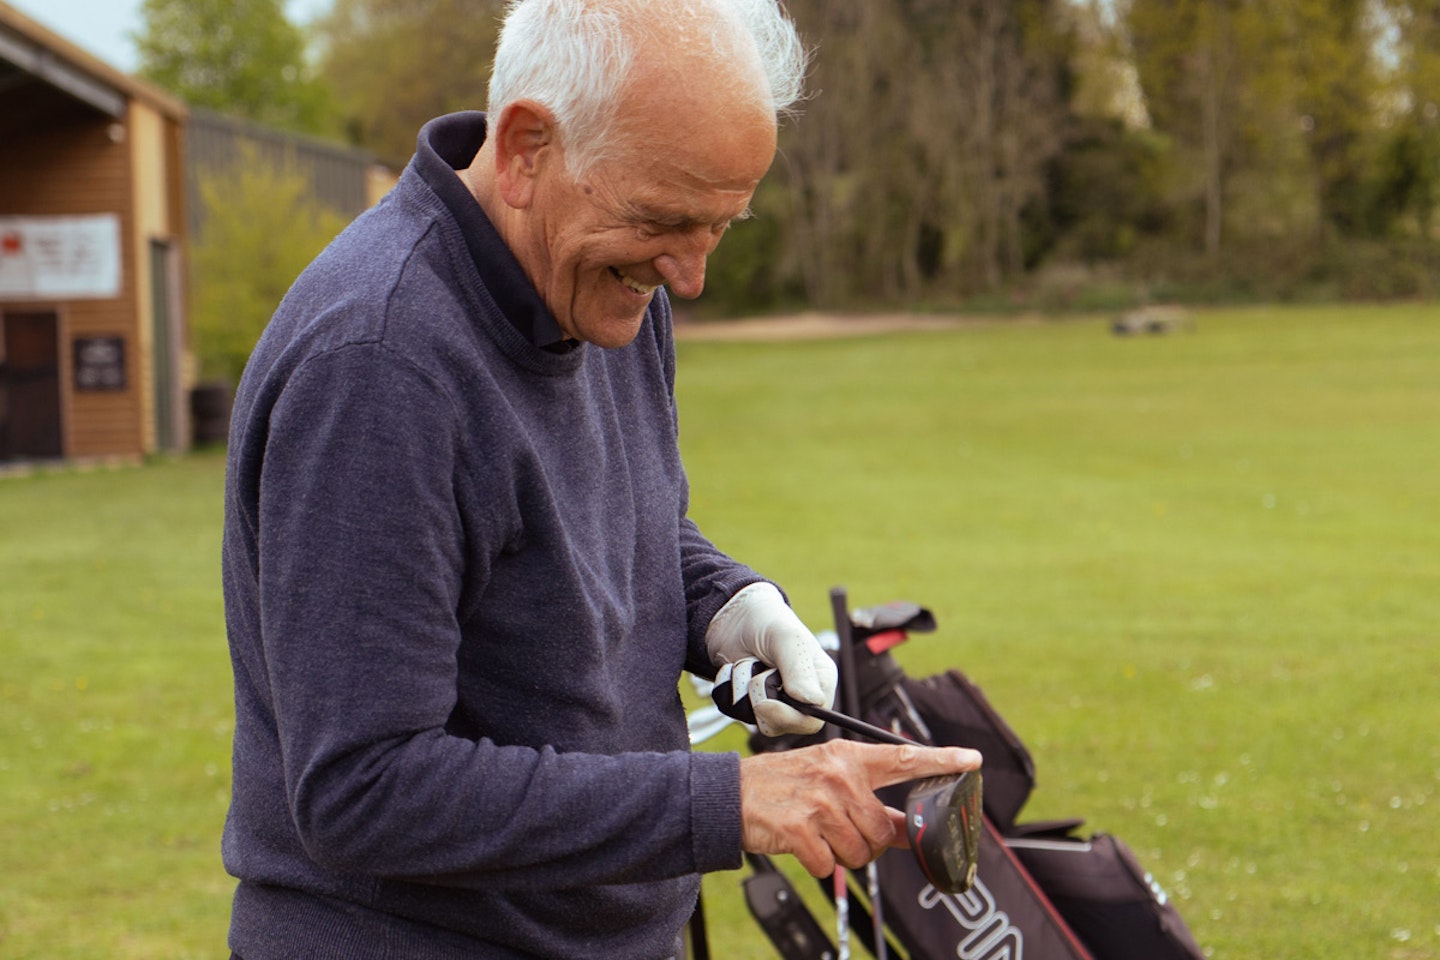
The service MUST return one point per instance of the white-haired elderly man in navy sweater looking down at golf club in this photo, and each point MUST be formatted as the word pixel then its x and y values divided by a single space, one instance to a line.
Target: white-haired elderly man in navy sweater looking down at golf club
pixel 460 578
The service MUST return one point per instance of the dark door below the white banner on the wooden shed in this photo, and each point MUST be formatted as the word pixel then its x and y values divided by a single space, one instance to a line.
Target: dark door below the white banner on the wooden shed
pixel 31 386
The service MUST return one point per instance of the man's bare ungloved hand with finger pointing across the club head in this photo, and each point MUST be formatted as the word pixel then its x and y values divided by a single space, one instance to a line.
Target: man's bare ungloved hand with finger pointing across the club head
pixel 820 805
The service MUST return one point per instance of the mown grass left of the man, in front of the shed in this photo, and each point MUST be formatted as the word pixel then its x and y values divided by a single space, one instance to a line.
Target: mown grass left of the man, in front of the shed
pixel 116 715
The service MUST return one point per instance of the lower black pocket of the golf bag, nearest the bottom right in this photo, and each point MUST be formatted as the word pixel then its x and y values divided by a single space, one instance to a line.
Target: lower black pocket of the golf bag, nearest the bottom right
pixel 1107 897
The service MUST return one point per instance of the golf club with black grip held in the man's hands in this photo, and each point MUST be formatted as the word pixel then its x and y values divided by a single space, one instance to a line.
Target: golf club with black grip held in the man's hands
pixel 942 814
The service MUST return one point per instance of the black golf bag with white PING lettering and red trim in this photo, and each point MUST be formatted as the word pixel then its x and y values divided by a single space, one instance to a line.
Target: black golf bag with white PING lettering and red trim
pixel 1043 892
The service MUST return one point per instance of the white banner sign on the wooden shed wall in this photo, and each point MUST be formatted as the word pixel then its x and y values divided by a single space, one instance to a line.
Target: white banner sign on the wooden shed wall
pixel 60 258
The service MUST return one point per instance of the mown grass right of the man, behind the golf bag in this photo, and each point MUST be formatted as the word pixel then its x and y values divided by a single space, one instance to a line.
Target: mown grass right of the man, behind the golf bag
pixel 1199 574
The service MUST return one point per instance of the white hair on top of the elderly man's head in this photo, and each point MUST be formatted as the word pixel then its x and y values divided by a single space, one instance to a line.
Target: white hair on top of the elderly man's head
pixel 574 58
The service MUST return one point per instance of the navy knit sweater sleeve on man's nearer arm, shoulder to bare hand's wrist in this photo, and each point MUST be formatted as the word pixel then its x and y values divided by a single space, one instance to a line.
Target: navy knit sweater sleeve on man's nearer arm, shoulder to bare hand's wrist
pixel 358 598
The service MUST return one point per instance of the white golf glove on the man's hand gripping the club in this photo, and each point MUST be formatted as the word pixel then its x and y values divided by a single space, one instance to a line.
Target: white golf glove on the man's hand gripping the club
pixel 757 622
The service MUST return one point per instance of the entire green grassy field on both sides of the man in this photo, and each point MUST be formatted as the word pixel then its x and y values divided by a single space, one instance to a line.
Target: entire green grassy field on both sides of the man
pixel 1199 574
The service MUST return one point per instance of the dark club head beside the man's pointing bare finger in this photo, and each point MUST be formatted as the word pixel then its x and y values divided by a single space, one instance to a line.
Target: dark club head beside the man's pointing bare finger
pixel 944 823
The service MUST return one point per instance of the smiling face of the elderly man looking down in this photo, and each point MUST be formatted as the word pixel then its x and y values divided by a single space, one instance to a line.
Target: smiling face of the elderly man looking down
pixel 688 163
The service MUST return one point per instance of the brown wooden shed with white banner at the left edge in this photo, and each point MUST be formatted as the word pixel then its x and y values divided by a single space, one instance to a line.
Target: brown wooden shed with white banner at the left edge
pixel 93 240
